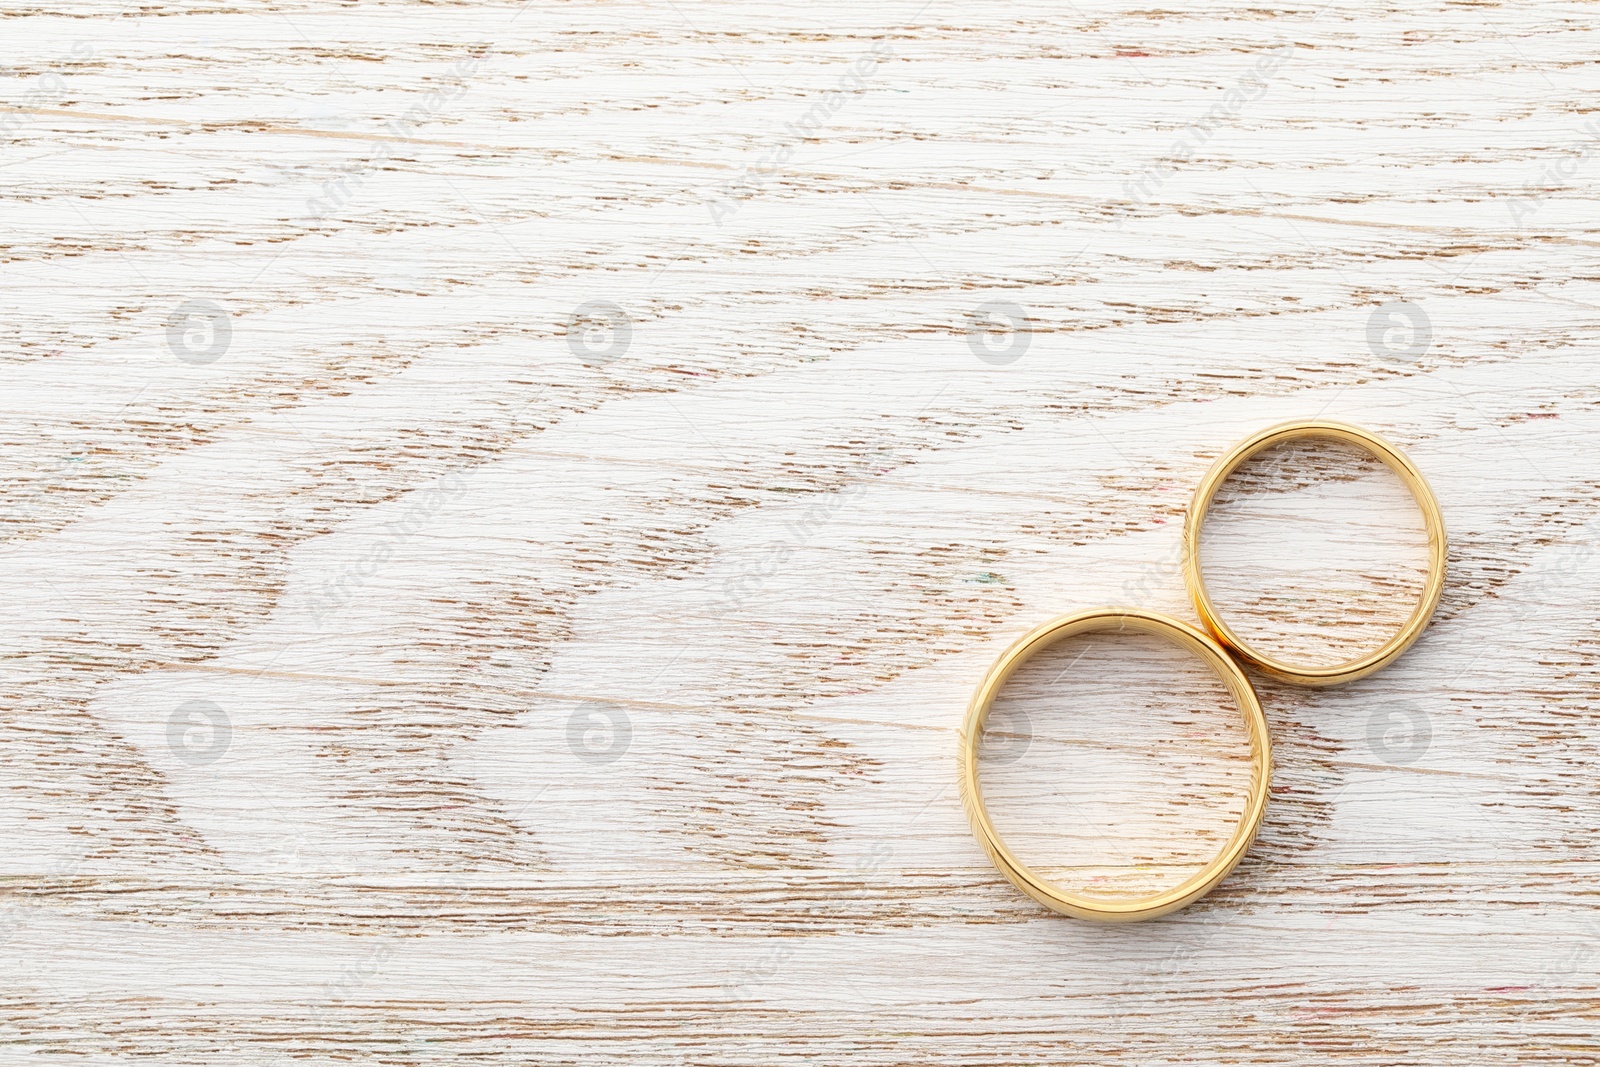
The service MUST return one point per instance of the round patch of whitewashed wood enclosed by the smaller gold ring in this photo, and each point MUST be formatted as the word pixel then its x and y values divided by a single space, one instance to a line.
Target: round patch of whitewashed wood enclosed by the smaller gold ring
pixel 1314 553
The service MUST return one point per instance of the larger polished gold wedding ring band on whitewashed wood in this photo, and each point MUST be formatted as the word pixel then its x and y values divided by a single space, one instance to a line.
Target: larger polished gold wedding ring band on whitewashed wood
pixel 1183 636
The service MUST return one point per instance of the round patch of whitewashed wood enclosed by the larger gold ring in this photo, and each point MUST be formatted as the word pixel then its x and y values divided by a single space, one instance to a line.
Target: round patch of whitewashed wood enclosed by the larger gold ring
pixel 1116 765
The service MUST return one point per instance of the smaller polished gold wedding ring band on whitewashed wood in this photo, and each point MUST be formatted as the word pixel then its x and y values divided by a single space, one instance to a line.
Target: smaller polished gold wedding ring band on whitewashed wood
pixel 1438 553
